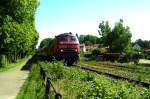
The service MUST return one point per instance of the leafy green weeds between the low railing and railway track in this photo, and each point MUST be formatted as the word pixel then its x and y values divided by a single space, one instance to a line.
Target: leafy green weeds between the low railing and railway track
pixel 83 84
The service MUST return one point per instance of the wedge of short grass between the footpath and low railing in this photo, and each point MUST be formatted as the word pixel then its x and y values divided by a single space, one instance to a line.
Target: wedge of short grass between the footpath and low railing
pixel 32 88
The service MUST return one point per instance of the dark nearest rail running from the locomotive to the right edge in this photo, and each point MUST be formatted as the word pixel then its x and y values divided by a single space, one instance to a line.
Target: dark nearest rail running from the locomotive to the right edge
pixel 113 75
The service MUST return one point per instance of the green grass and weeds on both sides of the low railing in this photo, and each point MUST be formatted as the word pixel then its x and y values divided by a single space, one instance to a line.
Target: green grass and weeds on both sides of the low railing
pixel 75 83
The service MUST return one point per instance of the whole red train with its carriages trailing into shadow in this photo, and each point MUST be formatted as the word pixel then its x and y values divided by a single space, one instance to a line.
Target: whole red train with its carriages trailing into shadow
pixel 65 47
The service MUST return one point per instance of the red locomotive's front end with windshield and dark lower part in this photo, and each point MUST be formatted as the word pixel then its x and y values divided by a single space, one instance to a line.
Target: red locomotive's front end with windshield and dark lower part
pixel 67 48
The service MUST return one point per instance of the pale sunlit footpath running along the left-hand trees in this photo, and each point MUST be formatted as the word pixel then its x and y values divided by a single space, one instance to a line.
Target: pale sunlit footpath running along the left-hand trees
pixel 11 82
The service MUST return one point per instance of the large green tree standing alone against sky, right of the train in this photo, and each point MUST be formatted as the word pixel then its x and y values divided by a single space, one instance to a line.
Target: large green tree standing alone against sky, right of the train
pixel 117 39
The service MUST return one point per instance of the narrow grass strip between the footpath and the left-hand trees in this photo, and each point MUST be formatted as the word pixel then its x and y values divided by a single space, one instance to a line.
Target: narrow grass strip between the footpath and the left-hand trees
pixel 12 65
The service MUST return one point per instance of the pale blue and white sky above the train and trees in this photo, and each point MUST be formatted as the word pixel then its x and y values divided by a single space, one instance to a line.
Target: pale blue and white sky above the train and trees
pixel 83 16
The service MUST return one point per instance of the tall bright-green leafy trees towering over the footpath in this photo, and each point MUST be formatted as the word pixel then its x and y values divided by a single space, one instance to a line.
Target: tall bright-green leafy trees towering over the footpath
pixel 18 36
